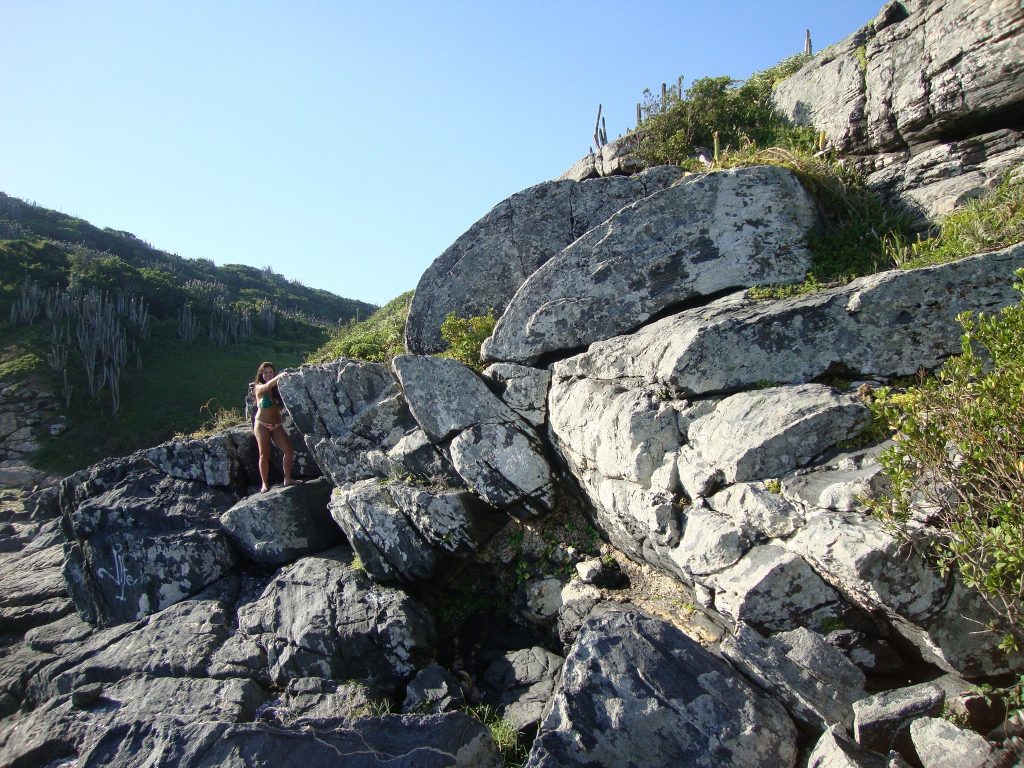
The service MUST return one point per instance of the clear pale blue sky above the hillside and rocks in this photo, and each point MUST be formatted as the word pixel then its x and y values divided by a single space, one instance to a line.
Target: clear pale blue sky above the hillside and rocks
pixel 345 144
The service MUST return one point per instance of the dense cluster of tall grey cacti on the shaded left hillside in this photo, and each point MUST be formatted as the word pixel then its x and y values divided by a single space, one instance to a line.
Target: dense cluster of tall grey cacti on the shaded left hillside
pixel 108 330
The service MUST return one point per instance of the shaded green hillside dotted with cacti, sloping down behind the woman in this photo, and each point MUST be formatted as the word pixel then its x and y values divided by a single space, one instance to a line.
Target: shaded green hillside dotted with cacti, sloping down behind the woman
pixel 173 346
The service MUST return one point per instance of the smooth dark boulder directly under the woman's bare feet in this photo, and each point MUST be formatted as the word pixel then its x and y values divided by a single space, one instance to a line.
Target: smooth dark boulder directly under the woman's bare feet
pixel 283 525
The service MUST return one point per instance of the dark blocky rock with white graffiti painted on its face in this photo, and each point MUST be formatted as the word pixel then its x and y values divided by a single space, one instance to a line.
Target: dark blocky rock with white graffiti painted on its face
pixel 144 545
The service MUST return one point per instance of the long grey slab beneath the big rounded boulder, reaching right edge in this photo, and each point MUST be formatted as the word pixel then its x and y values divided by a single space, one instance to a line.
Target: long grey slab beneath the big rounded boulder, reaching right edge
pixel 885 325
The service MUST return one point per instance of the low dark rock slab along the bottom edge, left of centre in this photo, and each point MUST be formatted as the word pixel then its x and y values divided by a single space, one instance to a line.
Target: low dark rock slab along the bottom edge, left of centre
pixel 450 741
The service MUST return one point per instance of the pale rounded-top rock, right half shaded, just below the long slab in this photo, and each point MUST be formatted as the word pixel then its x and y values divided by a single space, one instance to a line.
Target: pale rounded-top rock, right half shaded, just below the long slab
pixel 772 433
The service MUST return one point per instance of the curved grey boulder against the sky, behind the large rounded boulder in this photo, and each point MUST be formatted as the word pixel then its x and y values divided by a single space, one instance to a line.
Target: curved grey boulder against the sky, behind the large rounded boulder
pixel 485 268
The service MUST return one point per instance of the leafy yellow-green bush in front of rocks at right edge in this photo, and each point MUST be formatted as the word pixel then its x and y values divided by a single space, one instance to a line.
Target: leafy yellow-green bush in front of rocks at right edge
pixel 958 463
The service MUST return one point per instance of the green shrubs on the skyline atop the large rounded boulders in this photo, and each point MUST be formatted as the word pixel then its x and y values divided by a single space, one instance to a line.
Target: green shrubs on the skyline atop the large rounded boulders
pixel 718 112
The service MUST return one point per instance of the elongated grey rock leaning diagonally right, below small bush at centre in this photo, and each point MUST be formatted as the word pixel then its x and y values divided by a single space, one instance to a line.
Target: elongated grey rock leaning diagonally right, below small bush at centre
pixel 492 448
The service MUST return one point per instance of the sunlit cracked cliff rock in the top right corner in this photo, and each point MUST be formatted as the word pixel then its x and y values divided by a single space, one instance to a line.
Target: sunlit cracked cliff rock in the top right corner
pixel 916 73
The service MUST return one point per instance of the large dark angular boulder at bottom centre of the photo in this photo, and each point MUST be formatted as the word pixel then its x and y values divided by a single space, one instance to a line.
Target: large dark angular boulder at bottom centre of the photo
pixel 637 687
